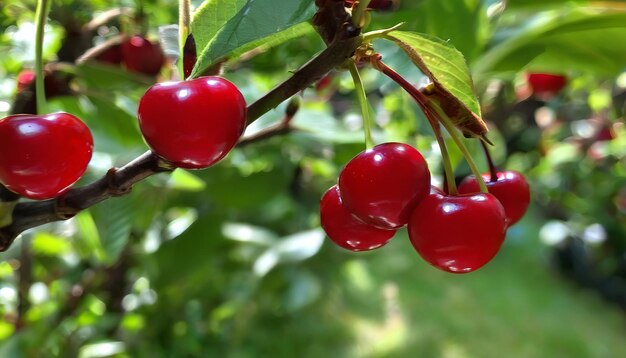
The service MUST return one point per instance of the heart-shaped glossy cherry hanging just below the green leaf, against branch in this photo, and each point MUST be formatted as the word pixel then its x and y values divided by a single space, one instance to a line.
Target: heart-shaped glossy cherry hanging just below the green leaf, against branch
pixel 194 123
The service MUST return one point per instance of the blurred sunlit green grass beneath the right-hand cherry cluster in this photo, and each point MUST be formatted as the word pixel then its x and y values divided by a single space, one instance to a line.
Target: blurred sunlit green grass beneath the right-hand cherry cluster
pixel 396 305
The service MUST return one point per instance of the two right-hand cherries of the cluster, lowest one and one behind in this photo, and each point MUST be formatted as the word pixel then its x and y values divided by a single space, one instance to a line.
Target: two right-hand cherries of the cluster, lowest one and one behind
pixel 462 233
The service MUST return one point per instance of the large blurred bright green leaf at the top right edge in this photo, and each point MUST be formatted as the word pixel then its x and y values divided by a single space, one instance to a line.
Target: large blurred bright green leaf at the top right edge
pixel 582 39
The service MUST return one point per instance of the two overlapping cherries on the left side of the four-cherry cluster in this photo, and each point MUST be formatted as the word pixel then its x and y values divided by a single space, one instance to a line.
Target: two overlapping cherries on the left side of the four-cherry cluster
pixel 375 195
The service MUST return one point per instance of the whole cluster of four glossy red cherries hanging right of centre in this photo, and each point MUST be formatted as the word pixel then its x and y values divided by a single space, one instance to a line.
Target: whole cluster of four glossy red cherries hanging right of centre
pixel 389 186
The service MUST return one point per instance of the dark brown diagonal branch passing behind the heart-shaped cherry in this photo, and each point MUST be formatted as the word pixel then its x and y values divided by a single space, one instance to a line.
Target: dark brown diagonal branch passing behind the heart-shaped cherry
pixel 119 181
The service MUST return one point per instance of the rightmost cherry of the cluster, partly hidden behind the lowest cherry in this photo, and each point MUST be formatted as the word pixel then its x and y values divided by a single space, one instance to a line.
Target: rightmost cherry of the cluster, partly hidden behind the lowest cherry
pixel 511 189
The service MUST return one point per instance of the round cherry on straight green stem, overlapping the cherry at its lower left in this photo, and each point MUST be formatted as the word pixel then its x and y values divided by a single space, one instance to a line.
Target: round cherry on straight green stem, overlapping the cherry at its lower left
pixel 382 185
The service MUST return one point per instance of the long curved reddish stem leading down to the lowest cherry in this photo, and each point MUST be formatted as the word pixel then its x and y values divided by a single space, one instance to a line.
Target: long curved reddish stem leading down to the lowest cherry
pixel 422 101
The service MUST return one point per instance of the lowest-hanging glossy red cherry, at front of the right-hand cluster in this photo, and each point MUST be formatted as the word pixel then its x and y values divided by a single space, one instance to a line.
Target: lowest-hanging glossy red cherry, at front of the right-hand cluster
pixel 458 234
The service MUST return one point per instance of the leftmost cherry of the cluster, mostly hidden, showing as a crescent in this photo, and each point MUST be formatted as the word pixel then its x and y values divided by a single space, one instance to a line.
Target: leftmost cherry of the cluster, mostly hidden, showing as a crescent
pixel 346 230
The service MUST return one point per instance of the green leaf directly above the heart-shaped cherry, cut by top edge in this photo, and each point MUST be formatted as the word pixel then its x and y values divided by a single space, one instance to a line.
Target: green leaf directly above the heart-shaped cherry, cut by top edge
pixel 224 29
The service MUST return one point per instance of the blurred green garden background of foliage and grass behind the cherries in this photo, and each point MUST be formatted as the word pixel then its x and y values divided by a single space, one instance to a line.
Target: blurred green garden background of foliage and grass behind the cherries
pixel 230 261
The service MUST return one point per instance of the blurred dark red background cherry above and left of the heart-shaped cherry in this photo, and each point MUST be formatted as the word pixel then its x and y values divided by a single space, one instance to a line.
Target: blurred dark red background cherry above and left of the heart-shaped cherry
pixel 141 55
